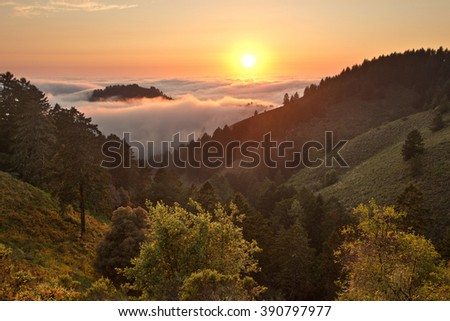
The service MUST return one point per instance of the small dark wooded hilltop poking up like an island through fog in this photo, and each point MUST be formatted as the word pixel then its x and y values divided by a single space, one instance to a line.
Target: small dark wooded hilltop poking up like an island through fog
pixel 126 92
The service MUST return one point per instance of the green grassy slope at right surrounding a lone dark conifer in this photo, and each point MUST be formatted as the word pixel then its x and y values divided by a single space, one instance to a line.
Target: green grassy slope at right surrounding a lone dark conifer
pixel 377 169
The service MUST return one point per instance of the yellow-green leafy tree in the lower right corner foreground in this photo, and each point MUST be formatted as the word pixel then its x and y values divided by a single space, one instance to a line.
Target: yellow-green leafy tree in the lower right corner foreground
pixel 382 262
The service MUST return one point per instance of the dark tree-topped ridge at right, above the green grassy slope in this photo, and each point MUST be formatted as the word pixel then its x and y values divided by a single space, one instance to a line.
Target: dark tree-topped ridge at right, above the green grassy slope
pixel 359 98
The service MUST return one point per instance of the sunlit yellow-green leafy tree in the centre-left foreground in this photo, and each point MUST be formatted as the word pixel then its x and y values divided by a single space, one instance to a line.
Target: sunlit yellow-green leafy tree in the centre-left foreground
pixel 183 242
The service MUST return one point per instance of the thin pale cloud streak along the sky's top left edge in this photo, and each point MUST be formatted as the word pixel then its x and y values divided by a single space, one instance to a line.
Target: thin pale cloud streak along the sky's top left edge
pixel 36 8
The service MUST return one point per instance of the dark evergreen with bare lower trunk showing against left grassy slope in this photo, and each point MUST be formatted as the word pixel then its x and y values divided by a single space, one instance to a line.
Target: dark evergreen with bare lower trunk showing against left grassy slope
pixel 79 178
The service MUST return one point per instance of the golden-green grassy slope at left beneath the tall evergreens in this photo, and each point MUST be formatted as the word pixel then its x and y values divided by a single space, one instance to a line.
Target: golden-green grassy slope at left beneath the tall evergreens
pixel 45 242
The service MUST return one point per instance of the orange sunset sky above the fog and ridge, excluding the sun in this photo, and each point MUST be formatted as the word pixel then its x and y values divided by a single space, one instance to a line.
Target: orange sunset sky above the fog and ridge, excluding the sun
pixel 195 38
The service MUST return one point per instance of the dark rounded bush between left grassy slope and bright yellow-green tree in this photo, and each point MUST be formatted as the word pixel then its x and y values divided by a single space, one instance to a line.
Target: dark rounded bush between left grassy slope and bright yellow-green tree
pixel 122 242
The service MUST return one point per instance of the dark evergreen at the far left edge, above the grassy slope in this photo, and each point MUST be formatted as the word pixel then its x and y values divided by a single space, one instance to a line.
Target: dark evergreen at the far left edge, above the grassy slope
pixel 26 129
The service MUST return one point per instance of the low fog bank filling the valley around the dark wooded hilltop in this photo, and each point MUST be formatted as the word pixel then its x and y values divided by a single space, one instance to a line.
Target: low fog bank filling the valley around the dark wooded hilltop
pixel 199 105
